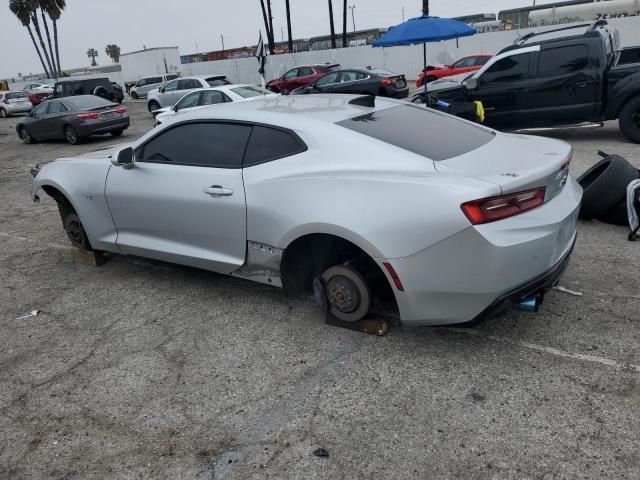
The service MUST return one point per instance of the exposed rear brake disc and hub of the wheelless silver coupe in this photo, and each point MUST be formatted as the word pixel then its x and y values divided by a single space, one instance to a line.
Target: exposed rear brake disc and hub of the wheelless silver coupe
pixel 348 293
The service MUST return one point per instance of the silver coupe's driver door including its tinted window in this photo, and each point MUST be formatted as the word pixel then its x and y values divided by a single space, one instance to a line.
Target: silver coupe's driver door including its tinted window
pixel 184 201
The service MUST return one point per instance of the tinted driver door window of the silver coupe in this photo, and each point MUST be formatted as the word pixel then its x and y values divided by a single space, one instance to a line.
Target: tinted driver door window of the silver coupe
pixel 219 145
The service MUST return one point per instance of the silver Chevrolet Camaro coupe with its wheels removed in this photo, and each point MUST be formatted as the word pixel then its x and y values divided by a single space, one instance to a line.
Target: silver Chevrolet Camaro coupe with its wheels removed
pixel 370 205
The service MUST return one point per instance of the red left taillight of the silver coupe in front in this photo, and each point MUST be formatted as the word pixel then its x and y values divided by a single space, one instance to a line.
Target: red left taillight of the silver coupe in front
pixel 487 210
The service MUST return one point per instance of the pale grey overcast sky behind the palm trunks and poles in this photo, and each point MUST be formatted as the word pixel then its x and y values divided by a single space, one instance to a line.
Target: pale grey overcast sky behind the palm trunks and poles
pixel 132 24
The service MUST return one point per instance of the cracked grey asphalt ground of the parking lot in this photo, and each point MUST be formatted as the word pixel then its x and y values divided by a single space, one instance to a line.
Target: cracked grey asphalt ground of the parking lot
pixel 140 369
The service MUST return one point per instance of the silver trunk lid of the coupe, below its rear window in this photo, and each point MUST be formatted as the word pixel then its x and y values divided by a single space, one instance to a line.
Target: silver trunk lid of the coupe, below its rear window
pixel 515 163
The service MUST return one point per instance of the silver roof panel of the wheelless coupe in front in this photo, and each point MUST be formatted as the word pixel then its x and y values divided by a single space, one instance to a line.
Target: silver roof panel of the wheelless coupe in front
pixel 290 110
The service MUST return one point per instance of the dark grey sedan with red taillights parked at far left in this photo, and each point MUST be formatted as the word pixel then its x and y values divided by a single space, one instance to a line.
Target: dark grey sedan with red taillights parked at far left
pixel 73 119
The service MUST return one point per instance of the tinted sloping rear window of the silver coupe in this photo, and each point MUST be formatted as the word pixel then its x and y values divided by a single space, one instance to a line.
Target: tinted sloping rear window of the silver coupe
pixel 425 132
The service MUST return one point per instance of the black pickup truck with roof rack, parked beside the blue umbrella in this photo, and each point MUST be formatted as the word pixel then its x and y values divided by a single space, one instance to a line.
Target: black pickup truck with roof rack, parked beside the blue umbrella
pixel 558 81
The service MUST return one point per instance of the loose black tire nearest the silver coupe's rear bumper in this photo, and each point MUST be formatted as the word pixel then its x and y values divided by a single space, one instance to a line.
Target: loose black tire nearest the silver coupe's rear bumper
pixel 605 184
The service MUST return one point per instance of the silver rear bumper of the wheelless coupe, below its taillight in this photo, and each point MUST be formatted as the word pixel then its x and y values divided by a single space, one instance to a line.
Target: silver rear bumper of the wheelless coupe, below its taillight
pixel 482 268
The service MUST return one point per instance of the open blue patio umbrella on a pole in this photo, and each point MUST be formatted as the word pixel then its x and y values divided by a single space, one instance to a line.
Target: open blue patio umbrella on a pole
pixel 424 30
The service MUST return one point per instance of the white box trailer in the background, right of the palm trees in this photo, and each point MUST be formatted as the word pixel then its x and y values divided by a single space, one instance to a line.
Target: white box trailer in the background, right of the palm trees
pixel 149 62
